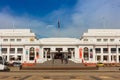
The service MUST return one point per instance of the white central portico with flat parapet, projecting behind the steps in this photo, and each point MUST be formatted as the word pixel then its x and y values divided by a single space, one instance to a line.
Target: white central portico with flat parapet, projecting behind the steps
pixel 58 46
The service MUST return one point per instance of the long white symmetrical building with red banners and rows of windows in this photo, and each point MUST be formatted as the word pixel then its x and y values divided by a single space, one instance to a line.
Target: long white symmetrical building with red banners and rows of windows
pixel 96 45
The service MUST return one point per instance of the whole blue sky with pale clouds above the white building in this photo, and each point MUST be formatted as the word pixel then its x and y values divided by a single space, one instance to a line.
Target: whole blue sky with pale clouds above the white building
pixel 75 16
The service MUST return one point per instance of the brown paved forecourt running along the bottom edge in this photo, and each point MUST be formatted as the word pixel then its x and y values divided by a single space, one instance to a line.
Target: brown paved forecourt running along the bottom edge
pixel 59 75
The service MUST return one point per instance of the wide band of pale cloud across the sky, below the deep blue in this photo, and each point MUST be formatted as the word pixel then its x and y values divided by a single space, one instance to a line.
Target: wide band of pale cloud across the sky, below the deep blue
pixel 74 22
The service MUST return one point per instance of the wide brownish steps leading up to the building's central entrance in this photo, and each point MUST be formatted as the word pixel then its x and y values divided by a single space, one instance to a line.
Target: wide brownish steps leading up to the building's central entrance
pixel 48 65
